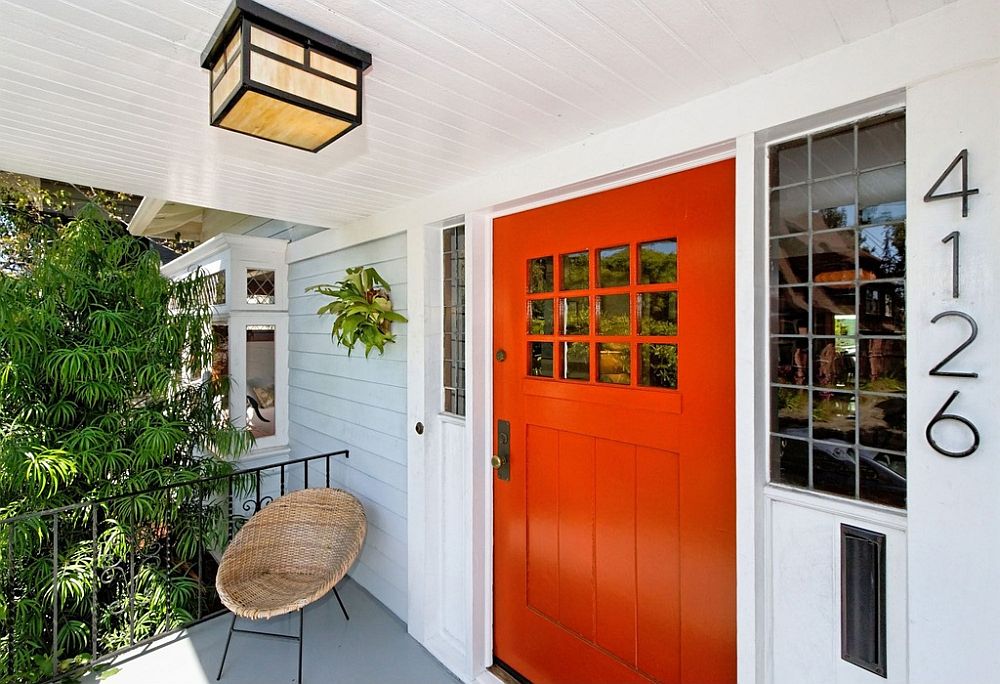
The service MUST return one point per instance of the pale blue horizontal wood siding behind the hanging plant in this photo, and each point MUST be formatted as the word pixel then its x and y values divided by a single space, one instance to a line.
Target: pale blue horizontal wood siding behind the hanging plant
pixel 338 401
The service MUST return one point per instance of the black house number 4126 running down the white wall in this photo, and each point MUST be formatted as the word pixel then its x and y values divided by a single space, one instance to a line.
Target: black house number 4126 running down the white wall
pixel 953 237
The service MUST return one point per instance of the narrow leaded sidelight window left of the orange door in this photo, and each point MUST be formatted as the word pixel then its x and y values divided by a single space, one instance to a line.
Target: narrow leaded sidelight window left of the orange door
pixel 453 320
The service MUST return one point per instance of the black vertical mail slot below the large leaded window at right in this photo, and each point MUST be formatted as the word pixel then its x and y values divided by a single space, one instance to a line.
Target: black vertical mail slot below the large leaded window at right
pixel 862 598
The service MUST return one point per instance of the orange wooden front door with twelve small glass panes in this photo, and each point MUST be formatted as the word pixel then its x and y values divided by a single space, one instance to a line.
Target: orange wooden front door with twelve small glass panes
pixel 614 556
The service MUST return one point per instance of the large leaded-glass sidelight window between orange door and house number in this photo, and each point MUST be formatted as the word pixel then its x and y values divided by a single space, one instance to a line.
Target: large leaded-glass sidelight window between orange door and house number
pixel 838 351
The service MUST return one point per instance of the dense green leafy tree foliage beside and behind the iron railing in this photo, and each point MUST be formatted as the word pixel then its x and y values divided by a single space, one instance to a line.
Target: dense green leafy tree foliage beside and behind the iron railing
pixel 101 361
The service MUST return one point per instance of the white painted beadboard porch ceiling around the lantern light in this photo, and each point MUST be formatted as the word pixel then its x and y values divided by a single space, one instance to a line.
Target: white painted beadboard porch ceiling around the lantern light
pixel 110 92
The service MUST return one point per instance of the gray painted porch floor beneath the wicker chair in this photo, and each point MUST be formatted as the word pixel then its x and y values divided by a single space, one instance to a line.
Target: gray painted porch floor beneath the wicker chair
pixel 372 648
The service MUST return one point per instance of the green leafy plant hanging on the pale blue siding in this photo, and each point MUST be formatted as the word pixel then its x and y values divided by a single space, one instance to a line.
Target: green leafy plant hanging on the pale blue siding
pixel 362 308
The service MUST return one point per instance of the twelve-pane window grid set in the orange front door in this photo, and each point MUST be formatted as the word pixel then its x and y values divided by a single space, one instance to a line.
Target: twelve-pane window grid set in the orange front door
pixel 606 315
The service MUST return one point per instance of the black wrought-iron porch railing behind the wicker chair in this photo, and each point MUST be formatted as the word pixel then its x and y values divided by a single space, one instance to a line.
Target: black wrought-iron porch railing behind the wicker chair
pixel 123 571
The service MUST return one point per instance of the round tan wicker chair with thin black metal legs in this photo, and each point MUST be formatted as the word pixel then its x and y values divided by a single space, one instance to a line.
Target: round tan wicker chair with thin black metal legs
pixel 289 554
